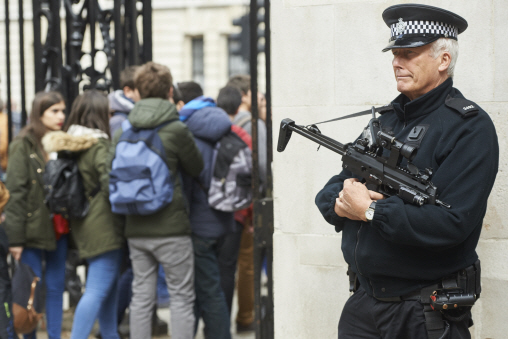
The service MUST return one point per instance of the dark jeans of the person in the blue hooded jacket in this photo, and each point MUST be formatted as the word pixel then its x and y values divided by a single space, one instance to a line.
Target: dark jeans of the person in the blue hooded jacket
pixel 210 301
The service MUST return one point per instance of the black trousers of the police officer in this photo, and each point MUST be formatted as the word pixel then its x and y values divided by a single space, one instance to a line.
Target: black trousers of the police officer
pixel 365 317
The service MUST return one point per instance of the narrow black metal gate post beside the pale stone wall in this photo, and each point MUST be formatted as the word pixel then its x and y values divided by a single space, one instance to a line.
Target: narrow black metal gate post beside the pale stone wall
pixel 263 205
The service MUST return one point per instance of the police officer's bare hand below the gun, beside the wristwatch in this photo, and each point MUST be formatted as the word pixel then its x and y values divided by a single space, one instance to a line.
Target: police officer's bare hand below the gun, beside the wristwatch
pixel 353 200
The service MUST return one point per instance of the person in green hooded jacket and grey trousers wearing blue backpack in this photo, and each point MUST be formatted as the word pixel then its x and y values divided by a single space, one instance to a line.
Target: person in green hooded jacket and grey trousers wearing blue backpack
pixel 164 236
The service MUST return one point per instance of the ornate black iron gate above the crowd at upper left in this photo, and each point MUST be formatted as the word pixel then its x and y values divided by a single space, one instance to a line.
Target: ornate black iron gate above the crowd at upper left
pixel 100 42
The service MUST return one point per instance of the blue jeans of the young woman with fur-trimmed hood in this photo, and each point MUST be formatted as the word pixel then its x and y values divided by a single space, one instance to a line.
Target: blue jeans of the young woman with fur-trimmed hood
pixel 100 298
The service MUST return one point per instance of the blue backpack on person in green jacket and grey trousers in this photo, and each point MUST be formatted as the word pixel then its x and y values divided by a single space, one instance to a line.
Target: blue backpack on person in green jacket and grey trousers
pixel 140 182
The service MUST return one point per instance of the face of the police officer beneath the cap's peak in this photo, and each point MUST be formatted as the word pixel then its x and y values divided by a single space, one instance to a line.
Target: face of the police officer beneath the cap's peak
pixel 417 71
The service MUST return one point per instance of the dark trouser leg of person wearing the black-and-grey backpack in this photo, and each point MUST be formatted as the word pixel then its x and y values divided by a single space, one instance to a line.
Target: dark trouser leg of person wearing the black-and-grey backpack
pixel 228 247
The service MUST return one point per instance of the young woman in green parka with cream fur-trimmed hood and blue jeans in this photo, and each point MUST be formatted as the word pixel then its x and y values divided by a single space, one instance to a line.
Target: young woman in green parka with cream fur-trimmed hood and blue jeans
pixel 98 235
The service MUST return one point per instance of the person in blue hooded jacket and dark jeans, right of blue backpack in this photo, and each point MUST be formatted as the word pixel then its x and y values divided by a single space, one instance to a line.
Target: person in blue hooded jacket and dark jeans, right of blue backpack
pixel 208 124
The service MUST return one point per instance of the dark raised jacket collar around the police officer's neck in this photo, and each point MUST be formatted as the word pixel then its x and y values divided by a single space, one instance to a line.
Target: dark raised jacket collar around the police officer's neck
pixel 407 110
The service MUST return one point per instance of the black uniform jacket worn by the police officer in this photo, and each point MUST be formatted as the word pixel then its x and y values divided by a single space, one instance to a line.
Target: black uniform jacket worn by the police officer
pixel 407 247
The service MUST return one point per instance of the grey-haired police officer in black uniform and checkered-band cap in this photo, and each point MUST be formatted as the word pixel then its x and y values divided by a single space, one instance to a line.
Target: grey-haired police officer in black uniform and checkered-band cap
pixel 414 269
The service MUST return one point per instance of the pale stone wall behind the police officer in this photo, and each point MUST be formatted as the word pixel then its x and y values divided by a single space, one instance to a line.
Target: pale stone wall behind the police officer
pixel 327 62
